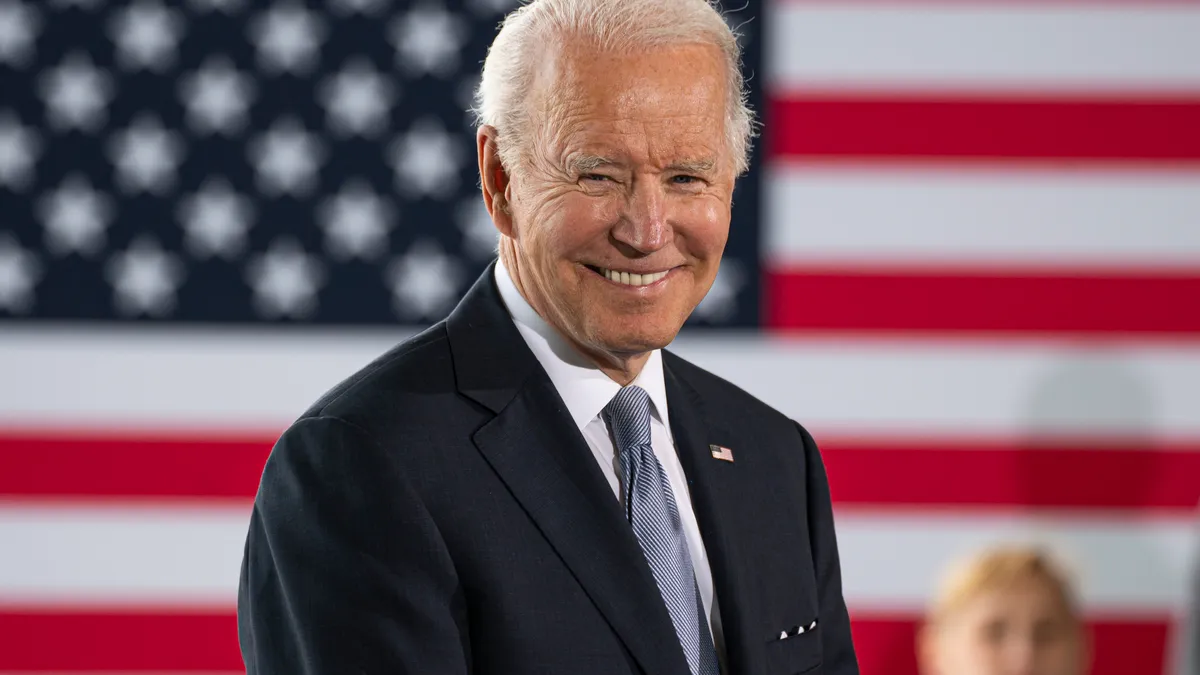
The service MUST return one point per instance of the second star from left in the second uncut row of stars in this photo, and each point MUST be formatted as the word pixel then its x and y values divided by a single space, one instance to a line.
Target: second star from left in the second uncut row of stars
pixel 217 98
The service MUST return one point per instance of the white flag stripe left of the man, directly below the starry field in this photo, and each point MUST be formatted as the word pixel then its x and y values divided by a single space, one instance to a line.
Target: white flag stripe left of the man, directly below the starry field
pixel 125 377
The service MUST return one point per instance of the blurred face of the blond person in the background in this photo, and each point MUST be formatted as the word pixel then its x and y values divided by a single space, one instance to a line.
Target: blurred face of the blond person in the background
pixel 1017 631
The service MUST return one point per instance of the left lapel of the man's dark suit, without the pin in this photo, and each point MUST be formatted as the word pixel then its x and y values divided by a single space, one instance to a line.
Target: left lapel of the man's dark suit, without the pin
pixel 535 447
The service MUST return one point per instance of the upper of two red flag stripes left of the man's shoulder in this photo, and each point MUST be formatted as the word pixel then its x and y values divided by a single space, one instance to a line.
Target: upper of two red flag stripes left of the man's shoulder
pixel 103 465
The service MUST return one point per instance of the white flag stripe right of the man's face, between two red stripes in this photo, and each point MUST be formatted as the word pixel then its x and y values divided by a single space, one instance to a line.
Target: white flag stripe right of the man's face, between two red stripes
pixel 914 216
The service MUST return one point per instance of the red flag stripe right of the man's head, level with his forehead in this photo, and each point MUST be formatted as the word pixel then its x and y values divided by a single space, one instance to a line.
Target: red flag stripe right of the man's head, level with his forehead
pixel 817 126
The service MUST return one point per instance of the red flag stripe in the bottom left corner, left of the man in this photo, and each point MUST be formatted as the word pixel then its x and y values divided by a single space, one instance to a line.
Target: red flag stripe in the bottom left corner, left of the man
pixel 119 641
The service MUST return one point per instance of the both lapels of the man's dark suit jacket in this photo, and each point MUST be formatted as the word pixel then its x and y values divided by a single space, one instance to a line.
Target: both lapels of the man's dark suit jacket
pixel 536 449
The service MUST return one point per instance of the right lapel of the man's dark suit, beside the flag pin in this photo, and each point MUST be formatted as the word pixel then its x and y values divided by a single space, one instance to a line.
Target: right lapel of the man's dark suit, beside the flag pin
pixel 718 493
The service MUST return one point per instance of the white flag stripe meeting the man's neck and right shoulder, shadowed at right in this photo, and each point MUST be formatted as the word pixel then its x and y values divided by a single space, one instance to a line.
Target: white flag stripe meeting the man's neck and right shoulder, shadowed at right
pixel 965 389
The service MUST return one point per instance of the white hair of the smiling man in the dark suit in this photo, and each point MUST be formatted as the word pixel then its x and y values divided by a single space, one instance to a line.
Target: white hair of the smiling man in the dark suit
pixel 502 99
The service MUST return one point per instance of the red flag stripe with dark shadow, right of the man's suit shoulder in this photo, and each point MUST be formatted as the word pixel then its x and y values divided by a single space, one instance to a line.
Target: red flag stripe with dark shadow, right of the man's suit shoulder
pixel 1072 475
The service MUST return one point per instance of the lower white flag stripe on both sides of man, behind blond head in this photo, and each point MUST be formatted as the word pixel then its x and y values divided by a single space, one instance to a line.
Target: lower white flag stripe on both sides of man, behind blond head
pixel 161 557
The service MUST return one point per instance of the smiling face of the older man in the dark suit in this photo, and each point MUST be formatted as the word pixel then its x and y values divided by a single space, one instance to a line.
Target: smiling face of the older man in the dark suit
pixel 621 211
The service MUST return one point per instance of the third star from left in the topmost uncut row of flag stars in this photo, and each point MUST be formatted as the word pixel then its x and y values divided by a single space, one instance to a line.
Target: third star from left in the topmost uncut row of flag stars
pixel 287 38
